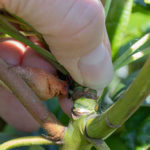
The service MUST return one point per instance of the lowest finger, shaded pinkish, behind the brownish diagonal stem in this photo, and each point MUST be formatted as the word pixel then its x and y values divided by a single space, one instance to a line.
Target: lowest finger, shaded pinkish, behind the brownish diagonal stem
pixel 13 112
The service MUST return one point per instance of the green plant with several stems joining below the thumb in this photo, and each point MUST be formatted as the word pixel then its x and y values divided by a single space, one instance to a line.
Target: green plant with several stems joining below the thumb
pixel 94 118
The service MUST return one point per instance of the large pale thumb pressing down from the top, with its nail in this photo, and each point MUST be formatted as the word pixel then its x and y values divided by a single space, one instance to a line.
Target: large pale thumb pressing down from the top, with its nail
pixel 75 32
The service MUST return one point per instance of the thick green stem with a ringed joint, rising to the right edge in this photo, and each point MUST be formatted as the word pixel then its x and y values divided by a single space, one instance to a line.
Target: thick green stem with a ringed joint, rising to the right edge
pixel 104 125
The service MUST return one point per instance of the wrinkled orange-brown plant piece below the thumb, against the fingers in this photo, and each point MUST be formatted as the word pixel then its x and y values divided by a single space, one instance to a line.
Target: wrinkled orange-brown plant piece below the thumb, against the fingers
pixel 45 85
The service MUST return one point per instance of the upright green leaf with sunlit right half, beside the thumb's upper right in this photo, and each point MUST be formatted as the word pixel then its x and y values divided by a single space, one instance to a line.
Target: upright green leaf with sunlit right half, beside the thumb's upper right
pixel 117 23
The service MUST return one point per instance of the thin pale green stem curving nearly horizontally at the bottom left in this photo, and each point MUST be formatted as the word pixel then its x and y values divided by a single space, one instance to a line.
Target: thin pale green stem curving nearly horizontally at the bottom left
pixel 25 141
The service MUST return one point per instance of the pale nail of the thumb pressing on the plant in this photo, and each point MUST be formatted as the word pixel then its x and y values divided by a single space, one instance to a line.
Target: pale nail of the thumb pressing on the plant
pixel 96 68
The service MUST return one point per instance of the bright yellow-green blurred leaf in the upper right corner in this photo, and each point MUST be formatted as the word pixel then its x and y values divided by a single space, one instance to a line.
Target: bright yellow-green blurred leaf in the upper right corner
pixel 138 26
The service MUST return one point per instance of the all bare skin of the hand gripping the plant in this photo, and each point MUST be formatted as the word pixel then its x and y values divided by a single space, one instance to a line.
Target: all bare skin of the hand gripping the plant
pixel 75 31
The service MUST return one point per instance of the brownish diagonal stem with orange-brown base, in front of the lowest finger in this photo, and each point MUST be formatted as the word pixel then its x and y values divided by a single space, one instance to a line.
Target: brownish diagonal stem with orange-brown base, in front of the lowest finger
pixel 31 102
